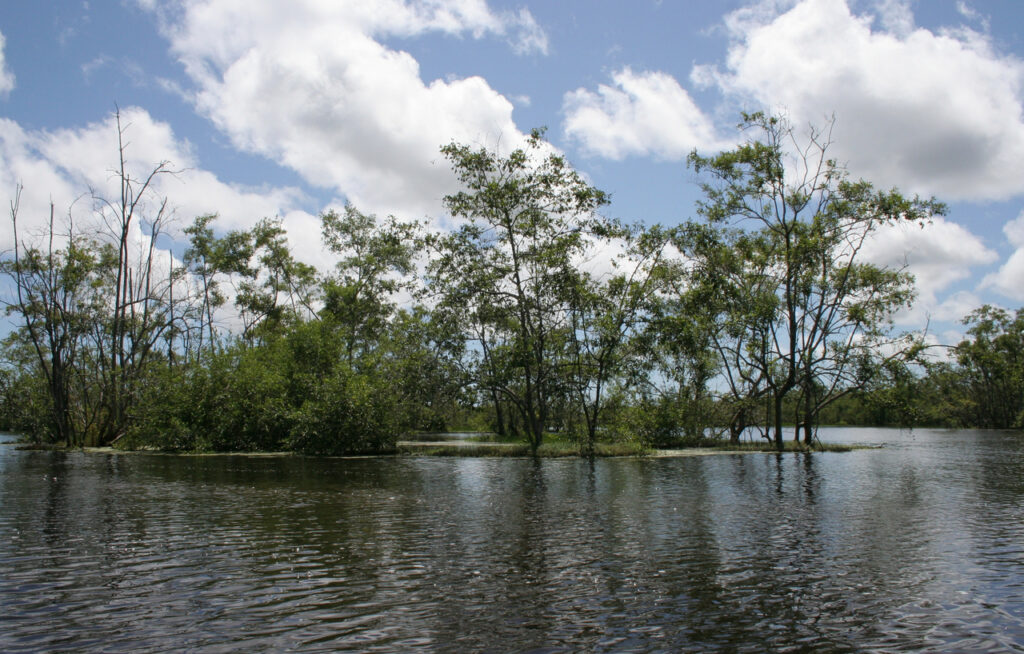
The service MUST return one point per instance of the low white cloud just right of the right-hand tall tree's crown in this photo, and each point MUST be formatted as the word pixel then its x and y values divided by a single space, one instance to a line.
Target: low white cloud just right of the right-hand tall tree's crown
pixel 938 255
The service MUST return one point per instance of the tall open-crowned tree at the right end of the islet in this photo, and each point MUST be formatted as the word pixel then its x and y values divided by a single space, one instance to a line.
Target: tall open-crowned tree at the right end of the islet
pixel 807 226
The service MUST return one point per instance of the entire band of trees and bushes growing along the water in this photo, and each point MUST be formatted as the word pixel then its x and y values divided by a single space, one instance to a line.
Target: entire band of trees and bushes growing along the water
pixel 537 316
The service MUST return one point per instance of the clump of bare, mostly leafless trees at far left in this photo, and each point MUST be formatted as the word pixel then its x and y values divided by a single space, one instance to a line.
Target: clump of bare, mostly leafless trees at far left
pixel 95 309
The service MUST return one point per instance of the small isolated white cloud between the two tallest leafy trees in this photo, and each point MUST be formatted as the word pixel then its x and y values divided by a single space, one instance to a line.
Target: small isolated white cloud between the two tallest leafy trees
pixel 641 114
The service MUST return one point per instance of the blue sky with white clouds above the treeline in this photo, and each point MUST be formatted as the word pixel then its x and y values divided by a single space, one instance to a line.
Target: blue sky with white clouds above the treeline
pixel 287 109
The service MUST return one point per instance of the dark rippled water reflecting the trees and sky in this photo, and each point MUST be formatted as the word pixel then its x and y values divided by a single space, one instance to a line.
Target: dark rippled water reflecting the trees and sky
pixel 919 546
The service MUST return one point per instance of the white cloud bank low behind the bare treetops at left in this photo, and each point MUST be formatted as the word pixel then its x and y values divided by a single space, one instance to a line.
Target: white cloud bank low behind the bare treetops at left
pixel 67 166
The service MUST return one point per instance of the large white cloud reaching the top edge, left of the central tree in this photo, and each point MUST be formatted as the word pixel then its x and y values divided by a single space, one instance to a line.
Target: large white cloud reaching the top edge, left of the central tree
pixel 311 85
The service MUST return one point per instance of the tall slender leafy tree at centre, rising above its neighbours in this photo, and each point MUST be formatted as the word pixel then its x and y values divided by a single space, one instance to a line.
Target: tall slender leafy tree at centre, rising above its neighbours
pixel 509 268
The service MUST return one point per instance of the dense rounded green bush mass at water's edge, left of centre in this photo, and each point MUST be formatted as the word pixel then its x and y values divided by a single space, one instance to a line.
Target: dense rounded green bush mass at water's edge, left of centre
pixel 293 394
